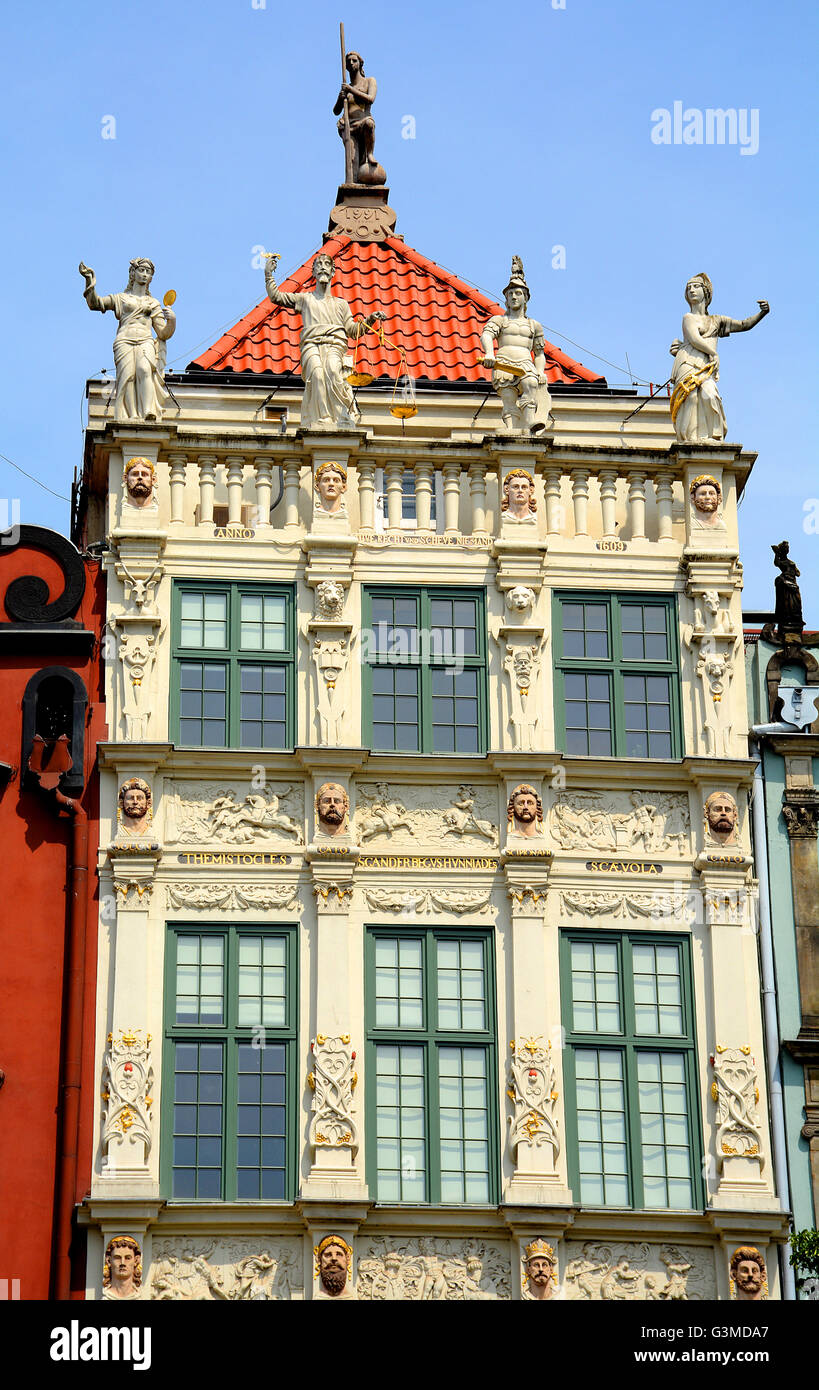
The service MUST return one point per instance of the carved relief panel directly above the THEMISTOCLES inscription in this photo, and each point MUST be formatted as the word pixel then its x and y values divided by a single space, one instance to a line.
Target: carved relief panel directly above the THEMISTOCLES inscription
pixel 205 814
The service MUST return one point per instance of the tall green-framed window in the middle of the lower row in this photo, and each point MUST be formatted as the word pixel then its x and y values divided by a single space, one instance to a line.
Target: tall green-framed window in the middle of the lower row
pixel 432 1067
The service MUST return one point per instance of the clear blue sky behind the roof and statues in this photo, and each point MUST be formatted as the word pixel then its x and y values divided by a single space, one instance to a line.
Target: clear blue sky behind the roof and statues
pixel 533 130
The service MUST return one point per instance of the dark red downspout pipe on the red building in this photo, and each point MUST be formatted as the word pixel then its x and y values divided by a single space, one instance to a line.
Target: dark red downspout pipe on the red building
pixel 72 1071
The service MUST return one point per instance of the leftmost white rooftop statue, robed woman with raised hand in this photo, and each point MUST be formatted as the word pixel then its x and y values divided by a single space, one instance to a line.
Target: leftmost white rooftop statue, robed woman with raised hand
pixel 140 357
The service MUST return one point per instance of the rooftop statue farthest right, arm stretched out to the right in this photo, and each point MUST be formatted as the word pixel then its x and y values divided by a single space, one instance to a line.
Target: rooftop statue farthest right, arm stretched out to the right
pixel 697 412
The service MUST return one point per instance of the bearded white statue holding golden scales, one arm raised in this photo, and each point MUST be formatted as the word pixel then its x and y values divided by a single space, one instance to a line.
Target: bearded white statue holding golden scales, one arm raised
pixel 327 326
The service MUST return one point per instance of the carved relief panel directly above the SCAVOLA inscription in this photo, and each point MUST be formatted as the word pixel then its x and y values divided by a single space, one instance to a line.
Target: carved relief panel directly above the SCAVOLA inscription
pixel 621 822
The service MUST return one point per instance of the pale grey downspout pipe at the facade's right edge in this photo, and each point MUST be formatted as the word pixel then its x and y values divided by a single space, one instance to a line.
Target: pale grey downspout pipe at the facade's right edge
pixel 772 1049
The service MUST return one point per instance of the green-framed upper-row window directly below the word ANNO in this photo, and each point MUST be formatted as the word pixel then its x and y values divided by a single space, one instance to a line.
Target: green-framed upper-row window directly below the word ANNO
pixel 234 667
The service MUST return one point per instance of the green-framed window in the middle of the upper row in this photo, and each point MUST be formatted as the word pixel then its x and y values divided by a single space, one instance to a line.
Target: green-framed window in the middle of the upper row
pixel 426 671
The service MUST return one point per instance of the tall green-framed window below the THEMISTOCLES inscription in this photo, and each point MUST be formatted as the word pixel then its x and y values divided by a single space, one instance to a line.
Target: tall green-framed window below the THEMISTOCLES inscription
pixel 230 1085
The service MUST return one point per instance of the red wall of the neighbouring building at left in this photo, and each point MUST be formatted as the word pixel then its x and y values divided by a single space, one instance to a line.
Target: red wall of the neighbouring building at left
pixel 35 839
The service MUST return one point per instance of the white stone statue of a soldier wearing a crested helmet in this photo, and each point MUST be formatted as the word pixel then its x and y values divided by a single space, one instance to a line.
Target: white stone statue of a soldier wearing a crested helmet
pixel 519 366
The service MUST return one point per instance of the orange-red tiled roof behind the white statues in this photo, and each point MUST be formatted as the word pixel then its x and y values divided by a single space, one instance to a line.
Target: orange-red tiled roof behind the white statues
pixel 435 316
